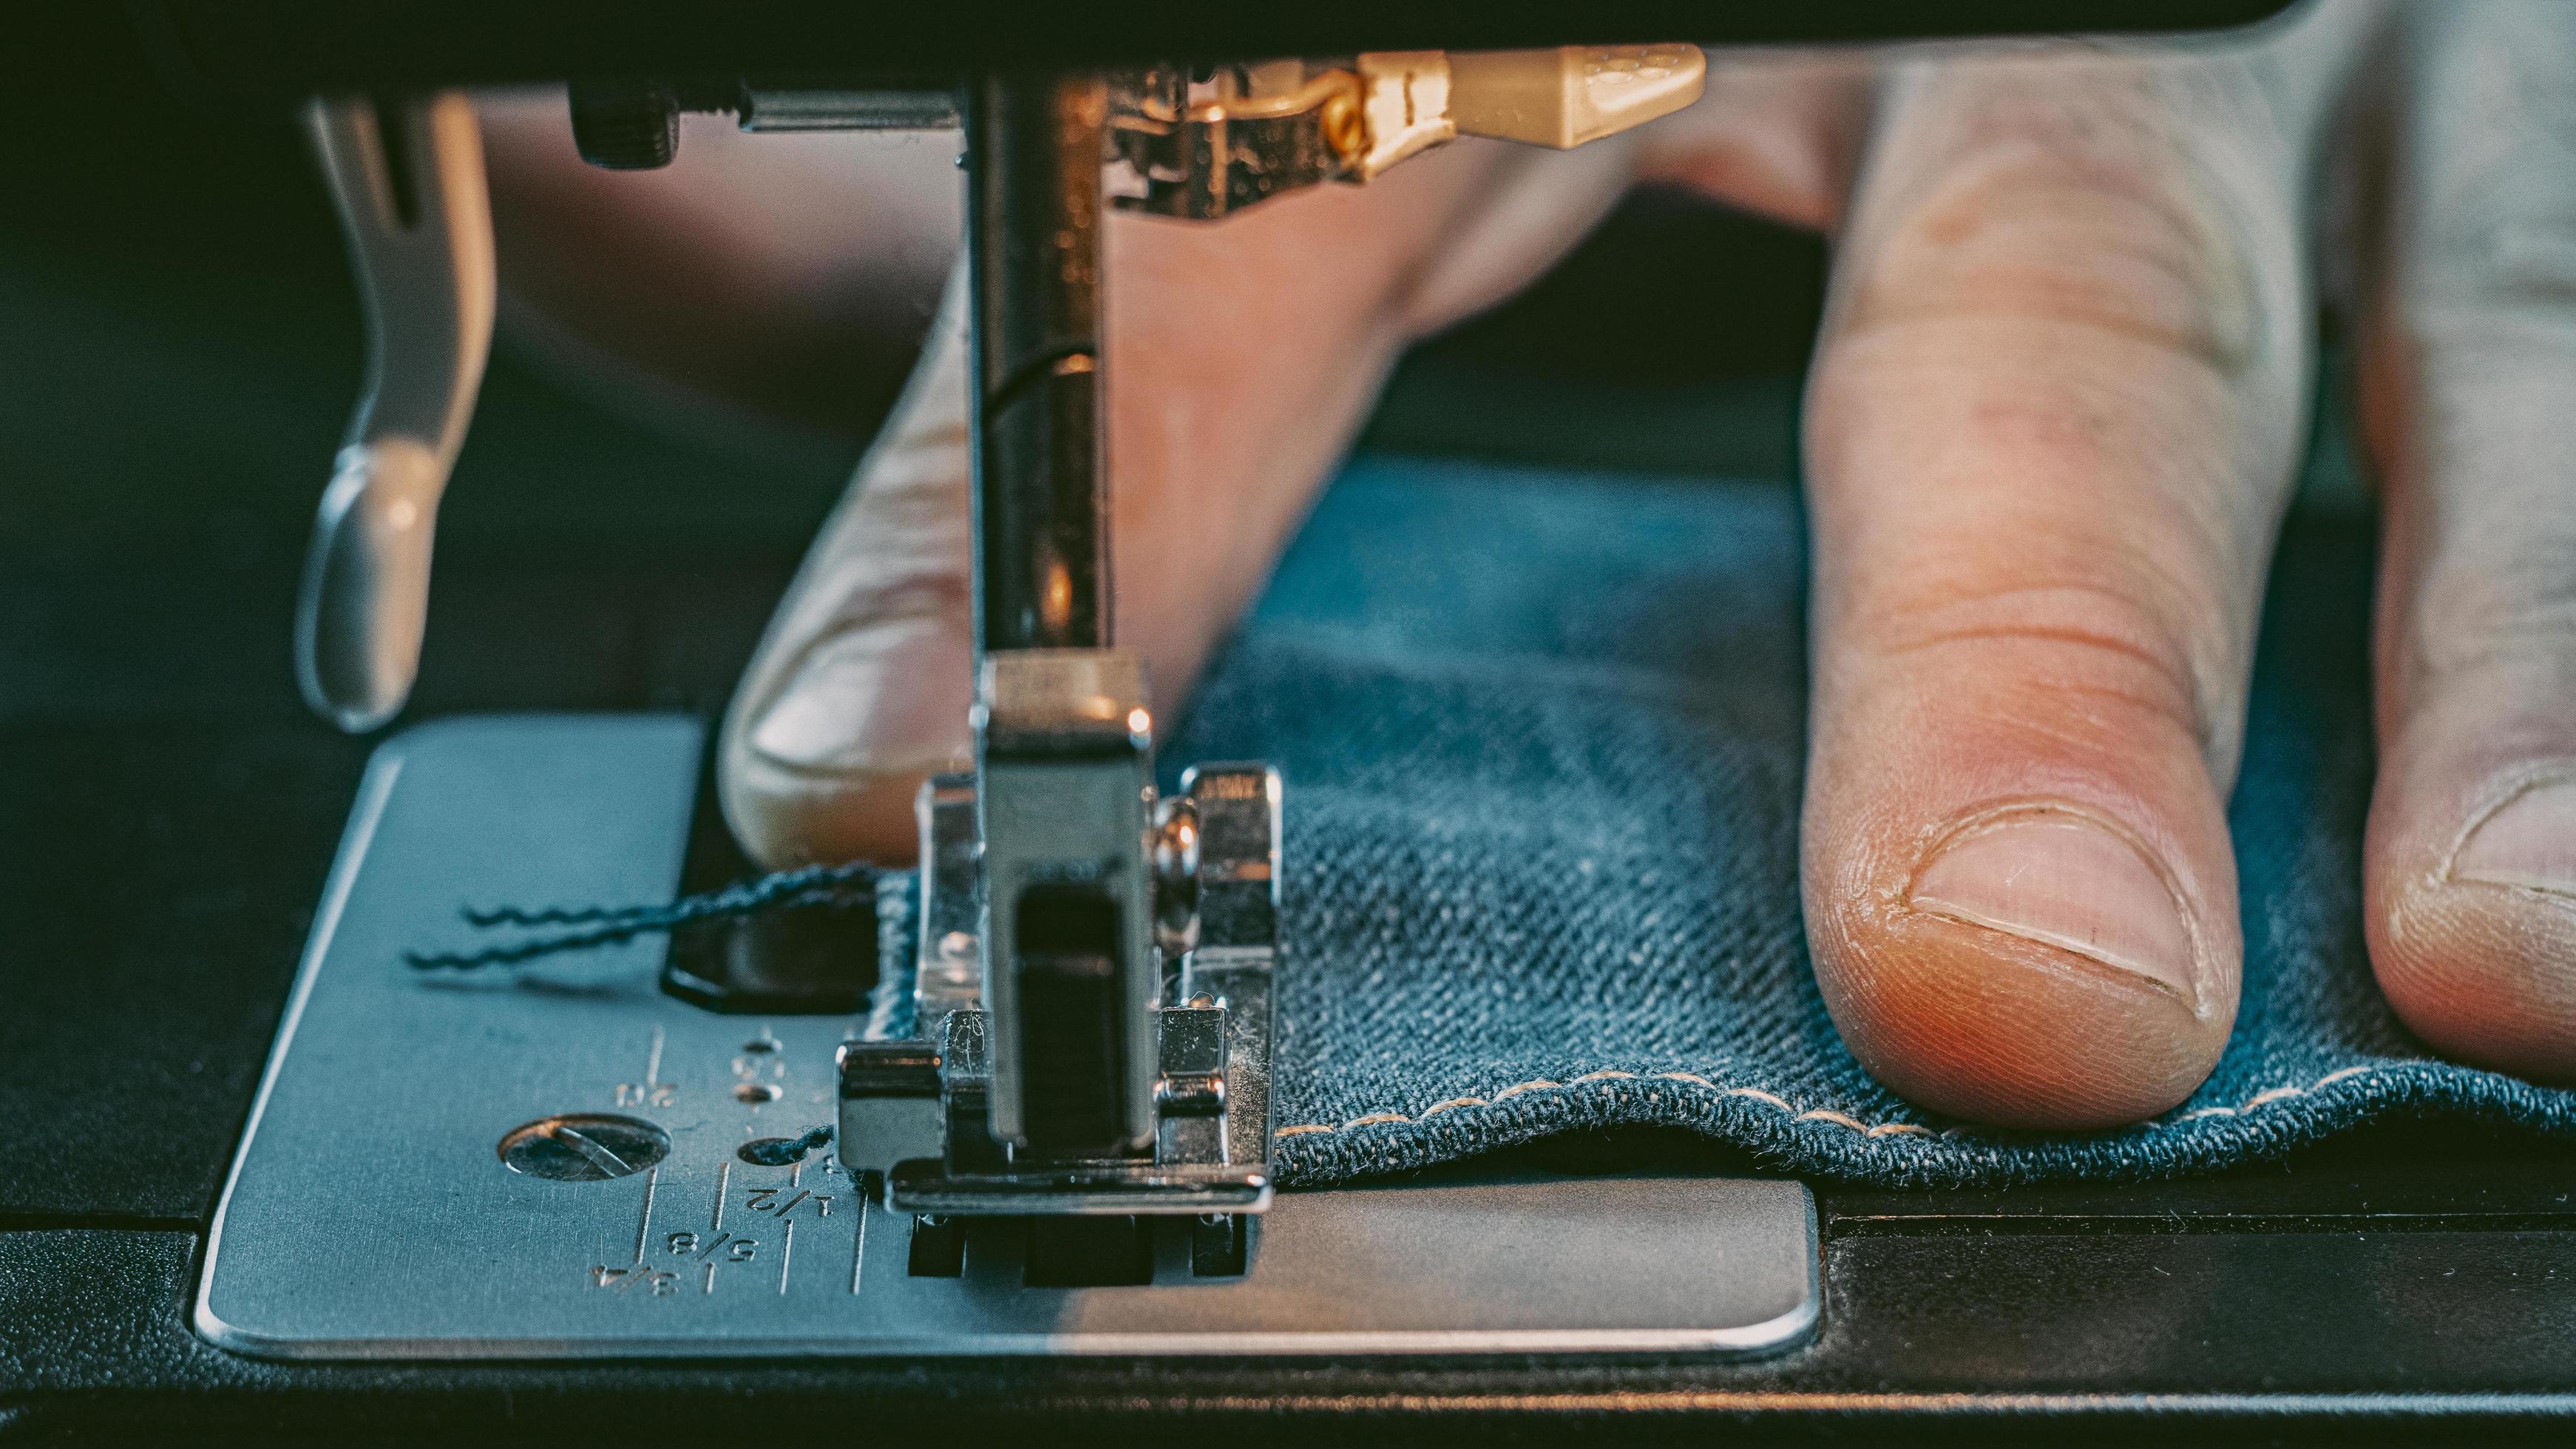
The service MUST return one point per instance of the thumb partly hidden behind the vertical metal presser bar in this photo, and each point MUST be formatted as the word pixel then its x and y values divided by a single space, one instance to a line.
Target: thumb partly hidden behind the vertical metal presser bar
pixel 1243 359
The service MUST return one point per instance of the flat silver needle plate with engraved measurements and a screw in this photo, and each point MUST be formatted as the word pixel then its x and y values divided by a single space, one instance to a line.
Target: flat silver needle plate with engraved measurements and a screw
pixel 475 1167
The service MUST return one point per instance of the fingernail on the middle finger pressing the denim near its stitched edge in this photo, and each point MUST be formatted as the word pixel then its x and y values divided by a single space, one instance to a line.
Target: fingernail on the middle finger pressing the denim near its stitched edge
pixel 2067 881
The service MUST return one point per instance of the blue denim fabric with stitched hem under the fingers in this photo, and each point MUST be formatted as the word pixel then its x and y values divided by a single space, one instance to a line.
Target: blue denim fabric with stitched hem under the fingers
pixel 1544 748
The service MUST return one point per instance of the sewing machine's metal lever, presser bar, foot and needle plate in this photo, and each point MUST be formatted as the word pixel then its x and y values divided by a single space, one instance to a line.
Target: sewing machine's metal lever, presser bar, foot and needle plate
pixel 1068 1149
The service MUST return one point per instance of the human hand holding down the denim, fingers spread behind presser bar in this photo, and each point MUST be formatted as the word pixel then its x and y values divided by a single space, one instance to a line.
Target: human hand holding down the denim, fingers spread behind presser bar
pixel 2052 429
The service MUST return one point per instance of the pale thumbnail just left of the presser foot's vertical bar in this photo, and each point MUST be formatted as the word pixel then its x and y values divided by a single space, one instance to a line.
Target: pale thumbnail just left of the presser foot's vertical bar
pixel 882 696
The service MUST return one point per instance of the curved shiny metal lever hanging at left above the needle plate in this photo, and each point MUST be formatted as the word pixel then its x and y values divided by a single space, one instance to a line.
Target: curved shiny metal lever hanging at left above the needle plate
pixel 411 187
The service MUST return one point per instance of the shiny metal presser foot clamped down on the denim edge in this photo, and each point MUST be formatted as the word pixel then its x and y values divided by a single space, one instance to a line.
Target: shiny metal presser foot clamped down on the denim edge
pixel 1032 1090
